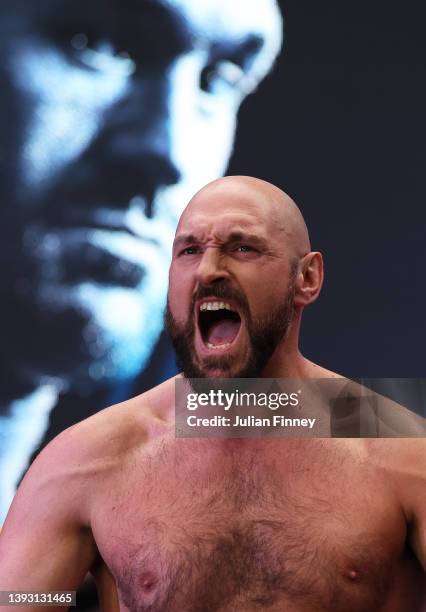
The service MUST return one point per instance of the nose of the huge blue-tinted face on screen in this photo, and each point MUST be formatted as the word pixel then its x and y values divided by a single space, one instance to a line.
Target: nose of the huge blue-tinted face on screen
pixel 144 133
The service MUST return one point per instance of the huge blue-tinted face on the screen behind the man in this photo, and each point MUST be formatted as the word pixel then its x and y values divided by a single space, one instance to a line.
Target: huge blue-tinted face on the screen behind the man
pixel 112 113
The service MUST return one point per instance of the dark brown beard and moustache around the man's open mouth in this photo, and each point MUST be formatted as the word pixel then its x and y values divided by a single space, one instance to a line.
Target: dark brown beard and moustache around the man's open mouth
pixel 265 334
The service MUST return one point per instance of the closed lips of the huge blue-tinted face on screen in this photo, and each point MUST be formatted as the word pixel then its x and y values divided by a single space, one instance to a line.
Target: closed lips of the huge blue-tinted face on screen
pixel 106 245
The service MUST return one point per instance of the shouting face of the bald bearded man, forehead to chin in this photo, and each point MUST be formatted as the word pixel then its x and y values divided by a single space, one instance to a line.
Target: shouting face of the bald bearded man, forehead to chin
pixel 231 285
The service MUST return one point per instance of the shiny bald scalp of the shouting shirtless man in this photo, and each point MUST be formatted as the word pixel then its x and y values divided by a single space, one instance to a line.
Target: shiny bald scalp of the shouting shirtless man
pixel 273 207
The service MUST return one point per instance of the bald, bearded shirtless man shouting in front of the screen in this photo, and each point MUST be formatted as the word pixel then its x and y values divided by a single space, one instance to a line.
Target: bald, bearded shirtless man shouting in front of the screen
pixel 172 524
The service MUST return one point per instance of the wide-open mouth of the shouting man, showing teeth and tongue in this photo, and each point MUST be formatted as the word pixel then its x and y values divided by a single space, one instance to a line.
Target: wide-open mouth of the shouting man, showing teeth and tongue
pixel 219 324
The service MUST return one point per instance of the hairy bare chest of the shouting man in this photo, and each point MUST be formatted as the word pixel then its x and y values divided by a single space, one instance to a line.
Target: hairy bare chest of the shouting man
pixel 298 527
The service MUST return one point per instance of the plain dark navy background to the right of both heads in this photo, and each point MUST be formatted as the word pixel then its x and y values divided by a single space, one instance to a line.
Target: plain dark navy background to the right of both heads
pixel 340 126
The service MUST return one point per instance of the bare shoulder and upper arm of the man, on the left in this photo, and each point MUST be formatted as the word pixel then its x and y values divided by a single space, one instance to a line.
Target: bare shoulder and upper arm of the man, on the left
pixel 55 503
